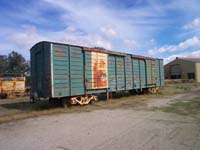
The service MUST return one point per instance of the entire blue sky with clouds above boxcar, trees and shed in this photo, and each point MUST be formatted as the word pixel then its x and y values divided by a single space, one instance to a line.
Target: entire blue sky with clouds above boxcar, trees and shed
pixel 158 28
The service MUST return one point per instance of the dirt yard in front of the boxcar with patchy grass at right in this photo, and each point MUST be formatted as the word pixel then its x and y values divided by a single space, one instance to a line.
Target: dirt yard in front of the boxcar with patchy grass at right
pixel 156 122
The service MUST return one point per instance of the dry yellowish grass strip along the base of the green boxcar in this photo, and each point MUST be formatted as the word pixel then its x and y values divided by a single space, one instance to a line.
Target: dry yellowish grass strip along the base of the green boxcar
pixel 26 109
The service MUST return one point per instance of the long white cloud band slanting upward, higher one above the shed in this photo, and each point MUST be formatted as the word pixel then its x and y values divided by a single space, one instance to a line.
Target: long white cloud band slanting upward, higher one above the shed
pixel 189 43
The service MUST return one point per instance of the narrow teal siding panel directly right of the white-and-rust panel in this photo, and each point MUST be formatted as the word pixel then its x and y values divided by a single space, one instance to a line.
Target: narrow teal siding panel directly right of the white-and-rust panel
pixel 112 72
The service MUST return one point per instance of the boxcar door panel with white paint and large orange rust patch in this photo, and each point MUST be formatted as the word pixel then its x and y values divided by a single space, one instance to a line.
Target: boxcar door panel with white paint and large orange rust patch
pixel 96 72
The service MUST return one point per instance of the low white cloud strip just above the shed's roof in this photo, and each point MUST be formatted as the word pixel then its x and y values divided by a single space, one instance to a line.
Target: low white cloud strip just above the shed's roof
pixel 193 54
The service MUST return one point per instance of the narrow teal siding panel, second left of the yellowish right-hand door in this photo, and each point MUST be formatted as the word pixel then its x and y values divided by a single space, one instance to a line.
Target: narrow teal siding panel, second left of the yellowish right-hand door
pixel 136 73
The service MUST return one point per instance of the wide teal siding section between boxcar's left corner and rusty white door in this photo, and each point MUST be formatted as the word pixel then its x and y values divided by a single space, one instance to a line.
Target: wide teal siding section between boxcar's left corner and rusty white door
pixel 68 75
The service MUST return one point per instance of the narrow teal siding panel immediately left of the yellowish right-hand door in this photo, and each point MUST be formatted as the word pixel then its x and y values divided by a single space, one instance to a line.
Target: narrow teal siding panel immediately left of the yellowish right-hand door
pixel 142 74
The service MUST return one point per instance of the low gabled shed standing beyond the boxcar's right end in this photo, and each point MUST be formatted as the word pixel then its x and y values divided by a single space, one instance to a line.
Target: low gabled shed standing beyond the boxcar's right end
pixel 183 68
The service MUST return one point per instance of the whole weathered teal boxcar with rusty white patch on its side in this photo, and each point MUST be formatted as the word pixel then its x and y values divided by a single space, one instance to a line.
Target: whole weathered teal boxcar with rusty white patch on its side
pixel 76 73
